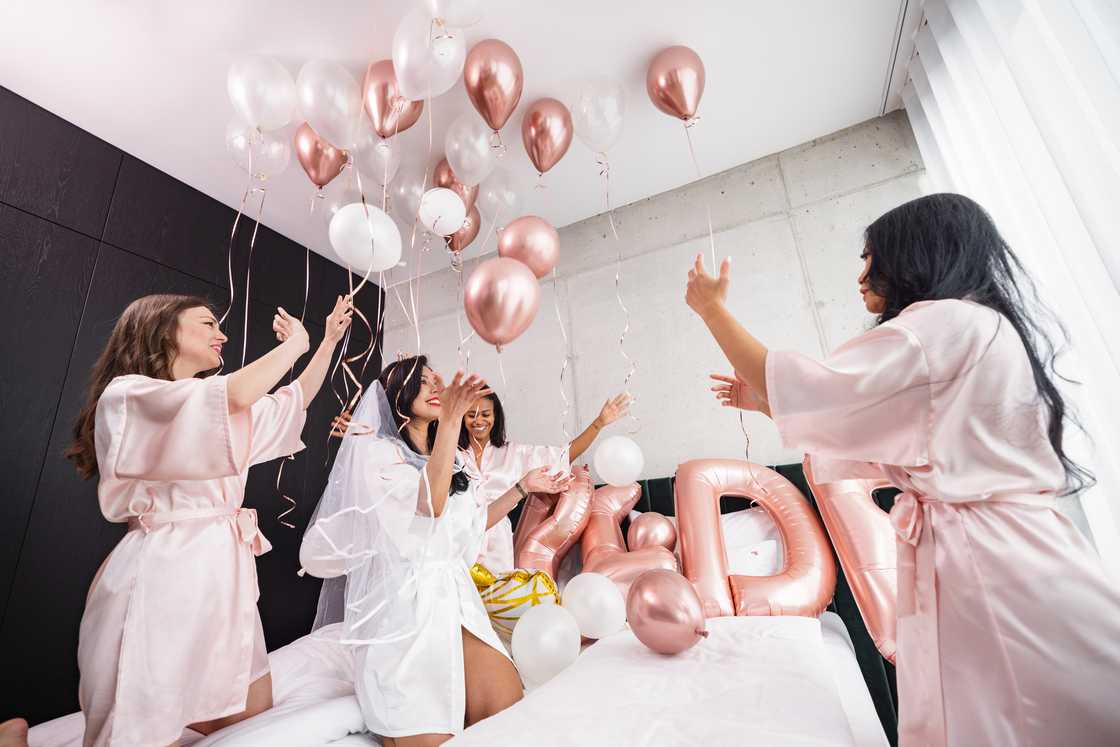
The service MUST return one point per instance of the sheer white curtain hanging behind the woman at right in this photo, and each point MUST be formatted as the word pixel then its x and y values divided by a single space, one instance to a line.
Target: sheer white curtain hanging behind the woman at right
pixel 1016 104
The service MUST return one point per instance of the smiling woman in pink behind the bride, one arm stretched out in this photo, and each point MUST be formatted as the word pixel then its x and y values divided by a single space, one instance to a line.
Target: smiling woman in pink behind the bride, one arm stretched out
pixel 500 464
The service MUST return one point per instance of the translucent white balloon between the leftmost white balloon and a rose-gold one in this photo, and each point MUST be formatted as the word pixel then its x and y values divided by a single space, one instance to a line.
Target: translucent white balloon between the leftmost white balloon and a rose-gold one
pixel 330 100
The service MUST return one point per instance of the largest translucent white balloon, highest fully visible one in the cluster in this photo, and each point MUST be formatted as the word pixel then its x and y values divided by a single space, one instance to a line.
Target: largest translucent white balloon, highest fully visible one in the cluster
pixel 427 58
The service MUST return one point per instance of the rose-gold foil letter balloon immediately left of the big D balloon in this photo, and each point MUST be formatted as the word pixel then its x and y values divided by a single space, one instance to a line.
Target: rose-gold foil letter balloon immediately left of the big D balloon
pixel 602 546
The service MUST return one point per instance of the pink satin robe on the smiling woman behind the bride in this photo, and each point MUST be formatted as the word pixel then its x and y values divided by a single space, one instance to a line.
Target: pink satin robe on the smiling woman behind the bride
pixel 501 468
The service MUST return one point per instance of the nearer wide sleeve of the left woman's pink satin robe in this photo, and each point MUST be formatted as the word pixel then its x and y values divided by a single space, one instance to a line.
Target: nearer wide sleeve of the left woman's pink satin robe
pixel 171 431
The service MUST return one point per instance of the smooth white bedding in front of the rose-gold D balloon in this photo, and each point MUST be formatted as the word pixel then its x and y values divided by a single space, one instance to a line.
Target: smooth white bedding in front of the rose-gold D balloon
pixel 754 680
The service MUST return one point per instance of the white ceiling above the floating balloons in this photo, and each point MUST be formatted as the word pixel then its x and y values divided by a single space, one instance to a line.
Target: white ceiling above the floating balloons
pixel 150 78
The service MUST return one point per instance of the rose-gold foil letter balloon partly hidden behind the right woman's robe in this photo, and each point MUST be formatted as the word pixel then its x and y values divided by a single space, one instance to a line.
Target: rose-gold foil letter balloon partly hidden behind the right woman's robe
pixel 866 545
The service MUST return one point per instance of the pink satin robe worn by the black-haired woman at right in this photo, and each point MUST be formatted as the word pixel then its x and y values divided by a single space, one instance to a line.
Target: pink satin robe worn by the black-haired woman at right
pixel 1009 630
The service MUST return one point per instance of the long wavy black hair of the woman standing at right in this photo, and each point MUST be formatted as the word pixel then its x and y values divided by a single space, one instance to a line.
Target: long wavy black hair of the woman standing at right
pixel 946 246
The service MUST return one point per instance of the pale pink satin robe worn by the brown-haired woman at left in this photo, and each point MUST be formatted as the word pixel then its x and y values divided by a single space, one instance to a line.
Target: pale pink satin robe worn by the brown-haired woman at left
pixel 172 636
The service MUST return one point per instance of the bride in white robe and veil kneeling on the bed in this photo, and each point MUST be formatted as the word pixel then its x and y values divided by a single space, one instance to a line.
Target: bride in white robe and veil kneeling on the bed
pixel 396 534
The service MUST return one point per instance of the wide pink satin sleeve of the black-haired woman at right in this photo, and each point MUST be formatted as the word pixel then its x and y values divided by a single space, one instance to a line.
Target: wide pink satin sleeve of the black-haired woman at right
pixel 869 403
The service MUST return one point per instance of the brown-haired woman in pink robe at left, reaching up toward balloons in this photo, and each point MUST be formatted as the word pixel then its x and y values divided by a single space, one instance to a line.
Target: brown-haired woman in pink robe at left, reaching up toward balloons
pixel 171 636
